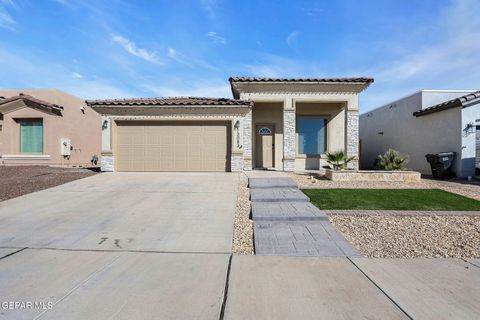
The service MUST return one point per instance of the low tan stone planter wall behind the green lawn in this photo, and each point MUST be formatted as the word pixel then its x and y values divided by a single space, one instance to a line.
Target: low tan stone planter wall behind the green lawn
pixel 371 175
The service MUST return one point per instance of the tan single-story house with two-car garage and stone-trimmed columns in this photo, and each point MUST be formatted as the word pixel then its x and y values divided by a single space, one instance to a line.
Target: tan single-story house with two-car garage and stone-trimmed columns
pixel 281 124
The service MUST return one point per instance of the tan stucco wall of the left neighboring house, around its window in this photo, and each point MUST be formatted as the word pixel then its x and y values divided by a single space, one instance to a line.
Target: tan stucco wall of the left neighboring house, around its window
pixel 83 129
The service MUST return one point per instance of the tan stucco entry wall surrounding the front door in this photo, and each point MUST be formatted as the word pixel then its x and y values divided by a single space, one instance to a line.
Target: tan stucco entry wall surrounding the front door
pixel 269 113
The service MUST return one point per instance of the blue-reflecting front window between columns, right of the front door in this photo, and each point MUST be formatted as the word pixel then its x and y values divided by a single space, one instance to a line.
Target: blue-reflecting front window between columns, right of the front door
pixel 311 135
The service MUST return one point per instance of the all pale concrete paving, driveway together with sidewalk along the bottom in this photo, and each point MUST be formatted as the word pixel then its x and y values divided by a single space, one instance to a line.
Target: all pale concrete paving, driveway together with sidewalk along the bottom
pixel 157 246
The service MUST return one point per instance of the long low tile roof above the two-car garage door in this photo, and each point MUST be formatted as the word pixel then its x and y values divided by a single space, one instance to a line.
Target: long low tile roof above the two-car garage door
pixel 174 101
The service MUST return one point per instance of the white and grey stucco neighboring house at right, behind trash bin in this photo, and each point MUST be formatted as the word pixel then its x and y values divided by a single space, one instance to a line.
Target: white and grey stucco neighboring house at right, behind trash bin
pixel 428 121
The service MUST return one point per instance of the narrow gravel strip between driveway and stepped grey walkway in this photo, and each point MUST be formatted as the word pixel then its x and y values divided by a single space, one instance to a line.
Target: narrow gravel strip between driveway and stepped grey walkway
pixel 243 228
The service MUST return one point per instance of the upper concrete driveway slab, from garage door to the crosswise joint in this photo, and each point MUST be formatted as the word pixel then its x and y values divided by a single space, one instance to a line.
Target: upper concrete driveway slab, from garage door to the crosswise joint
pixel 164 212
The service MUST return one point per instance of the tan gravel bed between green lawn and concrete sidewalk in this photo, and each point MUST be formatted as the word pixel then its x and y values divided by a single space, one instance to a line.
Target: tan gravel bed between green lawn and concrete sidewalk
pixel 412 236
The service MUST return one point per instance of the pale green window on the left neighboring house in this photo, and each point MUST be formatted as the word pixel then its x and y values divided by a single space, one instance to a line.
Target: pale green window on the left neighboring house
pixel 31 136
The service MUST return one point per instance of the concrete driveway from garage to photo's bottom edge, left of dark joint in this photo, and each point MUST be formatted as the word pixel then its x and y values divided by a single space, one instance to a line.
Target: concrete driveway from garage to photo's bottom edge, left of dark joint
pixel 119 246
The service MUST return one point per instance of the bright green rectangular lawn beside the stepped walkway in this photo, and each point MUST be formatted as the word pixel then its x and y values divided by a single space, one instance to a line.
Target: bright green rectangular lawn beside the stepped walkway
pixel 390 199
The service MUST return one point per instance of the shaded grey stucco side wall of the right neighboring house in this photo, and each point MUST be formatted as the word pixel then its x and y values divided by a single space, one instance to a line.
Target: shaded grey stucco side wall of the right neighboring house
pixel 394 126
